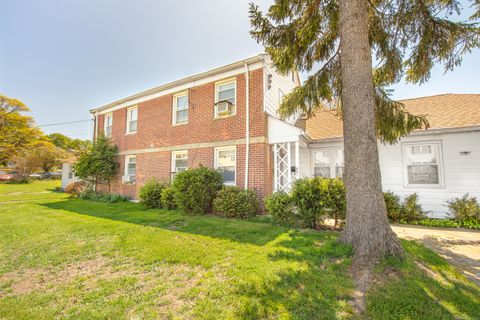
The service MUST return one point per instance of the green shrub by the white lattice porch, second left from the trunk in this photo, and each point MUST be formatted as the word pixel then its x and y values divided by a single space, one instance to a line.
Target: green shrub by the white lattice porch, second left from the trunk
pixel 307 197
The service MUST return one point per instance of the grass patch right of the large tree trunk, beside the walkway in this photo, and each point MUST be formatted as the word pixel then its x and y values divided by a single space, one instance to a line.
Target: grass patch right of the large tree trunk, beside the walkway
pixel 426 287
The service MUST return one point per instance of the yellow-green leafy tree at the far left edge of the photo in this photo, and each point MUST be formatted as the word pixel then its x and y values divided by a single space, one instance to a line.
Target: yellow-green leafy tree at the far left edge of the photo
pixel 16 130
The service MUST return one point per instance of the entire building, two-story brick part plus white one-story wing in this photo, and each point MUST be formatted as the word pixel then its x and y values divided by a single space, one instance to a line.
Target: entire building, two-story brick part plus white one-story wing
pixel 226 118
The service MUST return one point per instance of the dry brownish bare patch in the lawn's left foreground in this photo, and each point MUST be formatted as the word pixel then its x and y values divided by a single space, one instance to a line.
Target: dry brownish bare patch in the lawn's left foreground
pixel 171 282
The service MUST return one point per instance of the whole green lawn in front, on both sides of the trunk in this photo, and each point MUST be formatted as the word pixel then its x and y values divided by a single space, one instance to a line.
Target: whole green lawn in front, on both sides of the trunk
pixel 74 259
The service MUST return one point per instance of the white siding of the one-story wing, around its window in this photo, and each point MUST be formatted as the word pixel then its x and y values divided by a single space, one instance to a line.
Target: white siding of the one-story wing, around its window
pixel 461 172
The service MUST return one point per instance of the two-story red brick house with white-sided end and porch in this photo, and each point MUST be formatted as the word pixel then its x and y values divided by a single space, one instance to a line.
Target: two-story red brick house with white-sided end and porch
pixel 223 118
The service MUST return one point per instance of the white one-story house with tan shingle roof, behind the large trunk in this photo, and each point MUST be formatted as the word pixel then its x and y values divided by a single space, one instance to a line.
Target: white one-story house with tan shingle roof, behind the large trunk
pixel 438 164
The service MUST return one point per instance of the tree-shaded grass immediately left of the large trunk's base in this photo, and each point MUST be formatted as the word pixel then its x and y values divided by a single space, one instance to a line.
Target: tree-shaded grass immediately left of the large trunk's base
pixel 319 289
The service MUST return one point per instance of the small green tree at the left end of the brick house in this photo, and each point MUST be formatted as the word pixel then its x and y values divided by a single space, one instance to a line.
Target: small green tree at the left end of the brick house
pixel 97 164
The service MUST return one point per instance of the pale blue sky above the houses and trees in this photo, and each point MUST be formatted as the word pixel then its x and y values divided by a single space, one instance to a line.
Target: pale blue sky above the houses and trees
pixel 64 57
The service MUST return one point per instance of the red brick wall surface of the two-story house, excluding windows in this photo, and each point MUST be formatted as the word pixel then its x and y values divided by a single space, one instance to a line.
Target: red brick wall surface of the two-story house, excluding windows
pixel 155 130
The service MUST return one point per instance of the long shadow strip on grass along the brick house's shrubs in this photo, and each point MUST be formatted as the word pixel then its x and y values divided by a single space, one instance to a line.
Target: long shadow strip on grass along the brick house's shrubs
pixel 216 227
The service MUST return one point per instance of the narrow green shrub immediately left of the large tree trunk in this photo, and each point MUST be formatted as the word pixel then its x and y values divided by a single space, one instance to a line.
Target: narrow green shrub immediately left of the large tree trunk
pixel 334 199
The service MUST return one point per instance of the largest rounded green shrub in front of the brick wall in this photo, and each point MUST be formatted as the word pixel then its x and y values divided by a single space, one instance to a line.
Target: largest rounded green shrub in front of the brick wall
pixel 195 189
